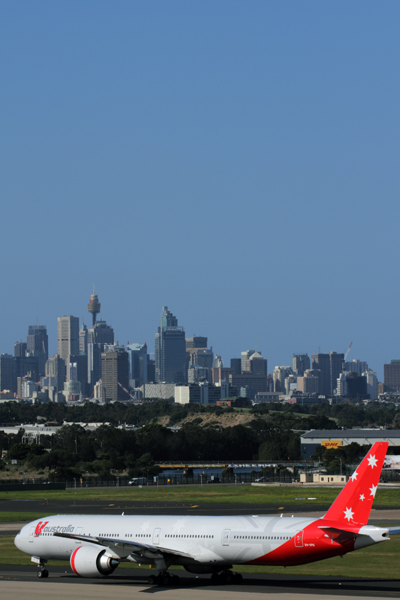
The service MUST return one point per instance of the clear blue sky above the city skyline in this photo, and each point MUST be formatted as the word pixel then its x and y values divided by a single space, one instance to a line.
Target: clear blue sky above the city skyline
pixel 235 161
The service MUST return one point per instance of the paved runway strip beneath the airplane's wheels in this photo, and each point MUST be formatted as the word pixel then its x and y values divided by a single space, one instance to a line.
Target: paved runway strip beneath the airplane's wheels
pixel 17 582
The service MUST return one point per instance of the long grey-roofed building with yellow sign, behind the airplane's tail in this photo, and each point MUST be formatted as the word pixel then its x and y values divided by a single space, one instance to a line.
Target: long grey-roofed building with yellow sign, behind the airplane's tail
pixel 334 438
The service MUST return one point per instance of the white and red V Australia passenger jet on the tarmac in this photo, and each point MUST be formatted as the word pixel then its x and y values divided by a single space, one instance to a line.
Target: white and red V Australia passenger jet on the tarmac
pixel 95 545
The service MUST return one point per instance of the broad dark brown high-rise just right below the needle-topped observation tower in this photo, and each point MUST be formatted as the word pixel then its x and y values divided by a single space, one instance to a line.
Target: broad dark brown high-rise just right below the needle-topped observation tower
pixel 115 373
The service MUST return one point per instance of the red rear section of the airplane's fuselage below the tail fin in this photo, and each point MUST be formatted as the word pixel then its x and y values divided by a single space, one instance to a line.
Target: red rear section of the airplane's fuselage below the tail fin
pixel 315 544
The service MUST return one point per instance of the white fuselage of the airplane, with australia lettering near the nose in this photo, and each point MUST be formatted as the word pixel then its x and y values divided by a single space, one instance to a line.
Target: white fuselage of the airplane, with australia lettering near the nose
pixel 207 539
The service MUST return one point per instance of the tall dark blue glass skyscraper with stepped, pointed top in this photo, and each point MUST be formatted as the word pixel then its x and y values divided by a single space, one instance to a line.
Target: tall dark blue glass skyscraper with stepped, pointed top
pixel 170 347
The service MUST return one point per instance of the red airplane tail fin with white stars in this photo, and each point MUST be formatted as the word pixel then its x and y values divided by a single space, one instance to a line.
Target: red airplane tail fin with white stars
pixel 354 503
